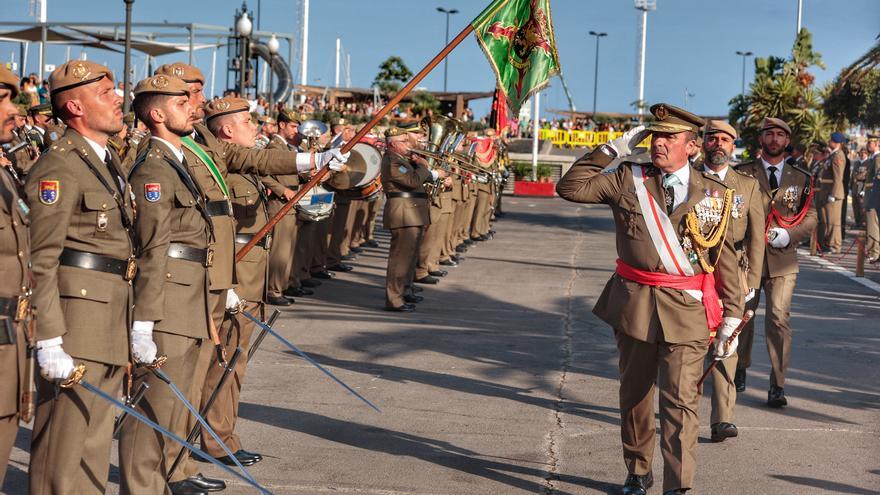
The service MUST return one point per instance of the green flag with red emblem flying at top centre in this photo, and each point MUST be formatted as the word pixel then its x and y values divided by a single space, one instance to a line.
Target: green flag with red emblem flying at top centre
pixel 517 36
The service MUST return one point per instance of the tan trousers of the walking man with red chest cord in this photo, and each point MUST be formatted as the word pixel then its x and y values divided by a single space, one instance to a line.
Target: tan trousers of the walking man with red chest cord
pixel 777 326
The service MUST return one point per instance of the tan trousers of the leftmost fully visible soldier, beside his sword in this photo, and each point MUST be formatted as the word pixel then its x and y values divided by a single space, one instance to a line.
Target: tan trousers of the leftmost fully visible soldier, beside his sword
pixel 73 433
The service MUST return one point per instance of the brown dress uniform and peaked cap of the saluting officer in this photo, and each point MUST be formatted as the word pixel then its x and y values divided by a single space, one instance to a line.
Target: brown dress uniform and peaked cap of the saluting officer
pixel 661 332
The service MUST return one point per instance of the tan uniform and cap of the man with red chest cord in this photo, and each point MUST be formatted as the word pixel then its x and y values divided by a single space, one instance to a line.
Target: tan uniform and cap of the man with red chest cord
pixel 780 269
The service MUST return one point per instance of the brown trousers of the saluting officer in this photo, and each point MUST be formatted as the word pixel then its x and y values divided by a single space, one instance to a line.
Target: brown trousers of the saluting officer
pixel 675 369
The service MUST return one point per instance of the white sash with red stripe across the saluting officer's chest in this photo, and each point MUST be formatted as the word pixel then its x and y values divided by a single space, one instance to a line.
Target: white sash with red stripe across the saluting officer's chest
pixel 662 232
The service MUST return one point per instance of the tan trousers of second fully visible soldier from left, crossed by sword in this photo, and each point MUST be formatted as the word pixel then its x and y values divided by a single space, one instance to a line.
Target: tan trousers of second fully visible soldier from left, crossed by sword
pixel 145 455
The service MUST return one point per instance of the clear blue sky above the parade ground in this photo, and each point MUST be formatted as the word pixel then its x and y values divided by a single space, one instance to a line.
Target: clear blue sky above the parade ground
pixel 691 44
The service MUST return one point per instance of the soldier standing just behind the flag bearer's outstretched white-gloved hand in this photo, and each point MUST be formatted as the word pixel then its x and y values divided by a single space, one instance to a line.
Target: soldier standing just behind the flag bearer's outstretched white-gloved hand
pixel 282 188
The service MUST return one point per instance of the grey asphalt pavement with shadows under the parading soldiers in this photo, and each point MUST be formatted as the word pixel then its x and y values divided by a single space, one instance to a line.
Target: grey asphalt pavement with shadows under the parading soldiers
pixel 503 382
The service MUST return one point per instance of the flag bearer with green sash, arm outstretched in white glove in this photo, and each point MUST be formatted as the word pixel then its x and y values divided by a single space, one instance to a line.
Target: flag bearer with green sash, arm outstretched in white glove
pixel 208 161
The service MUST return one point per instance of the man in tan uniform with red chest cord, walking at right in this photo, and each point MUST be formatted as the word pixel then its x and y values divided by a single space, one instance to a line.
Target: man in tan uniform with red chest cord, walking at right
pixel 786 200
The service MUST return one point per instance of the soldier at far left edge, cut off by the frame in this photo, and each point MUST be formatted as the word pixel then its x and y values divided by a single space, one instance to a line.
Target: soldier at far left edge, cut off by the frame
pixel 15 286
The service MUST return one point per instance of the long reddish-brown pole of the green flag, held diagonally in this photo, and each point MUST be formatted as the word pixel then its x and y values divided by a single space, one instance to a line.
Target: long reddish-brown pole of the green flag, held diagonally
pixel 363 132
